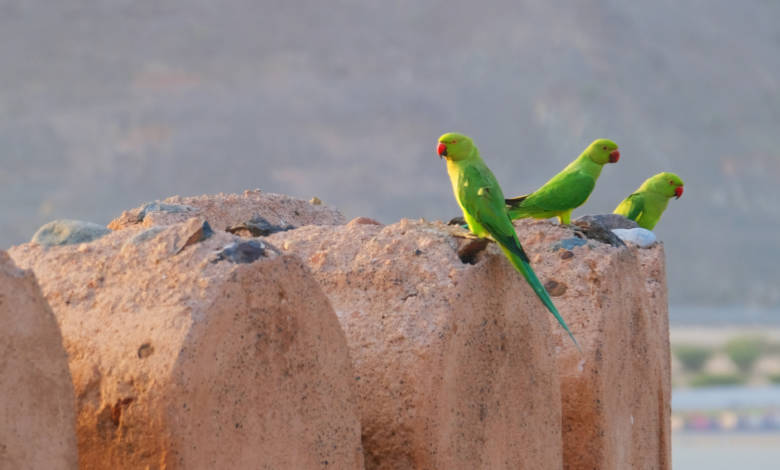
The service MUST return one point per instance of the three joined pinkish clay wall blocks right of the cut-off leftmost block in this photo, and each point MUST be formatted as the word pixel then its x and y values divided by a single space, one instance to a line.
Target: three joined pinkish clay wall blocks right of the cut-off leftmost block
pixel 330 345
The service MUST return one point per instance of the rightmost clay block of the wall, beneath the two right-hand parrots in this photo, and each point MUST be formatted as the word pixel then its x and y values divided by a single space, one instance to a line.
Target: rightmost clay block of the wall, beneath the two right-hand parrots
pixel 616 394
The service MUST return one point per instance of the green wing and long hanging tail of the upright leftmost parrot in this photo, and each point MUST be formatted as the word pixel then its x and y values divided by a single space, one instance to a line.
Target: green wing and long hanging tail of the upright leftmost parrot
pixel 481 197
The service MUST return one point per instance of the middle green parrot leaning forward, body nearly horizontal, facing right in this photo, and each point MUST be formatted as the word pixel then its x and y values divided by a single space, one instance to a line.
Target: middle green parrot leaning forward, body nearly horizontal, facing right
pixel 568 189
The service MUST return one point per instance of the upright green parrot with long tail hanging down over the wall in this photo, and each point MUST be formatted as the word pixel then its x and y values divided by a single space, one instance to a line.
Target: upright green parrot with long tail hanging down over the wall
pixel 482 202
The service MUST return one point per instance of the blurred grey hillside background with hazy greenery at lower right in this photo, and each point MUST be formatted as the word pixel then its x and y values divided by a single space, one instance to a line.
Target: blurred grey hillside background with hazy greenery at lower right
pixel 105 105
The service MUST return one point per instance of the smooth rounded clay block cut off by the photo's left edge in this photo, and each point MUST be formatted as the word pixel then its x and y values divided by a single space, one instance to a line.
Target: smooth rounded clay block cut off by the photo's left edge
pixel 37 406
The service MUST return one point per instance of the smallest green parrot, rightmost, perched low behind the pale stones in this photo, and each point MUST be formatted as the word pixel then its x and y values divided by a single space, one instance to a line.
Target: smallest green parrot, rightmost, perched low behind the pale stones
pixel 647 203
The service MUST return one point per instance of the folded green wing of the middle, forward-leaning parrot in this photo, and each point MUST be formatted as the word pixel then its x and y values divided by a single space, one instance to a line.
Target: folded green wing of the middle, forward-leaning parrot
pixel 564 191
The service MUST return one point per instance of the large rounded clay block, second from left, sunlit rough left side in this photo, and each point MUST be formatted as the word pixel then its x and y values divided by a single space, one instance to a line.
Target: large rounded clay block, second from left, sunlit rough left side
pixel 181 362
